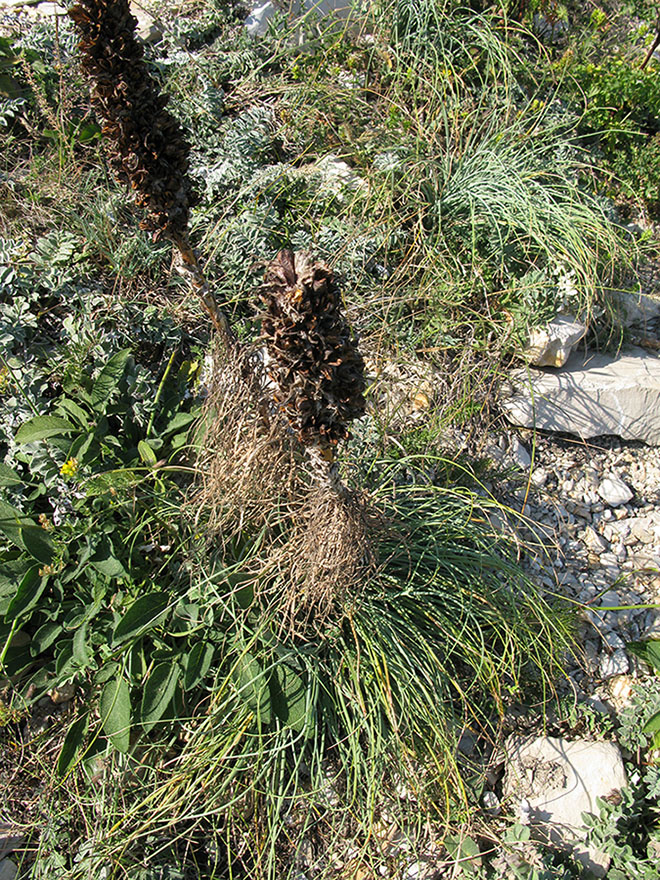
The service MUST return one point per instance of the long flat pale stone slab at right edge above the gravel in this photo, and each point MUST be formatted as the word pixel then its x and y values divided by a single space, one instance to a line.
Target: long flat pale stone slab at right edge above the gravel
pixel 592 395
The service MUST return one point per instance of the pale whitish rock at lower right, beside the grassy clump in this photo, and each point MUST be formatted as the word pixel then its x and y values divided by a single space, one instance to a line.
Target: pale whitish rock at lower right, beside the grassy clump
pixel 559 780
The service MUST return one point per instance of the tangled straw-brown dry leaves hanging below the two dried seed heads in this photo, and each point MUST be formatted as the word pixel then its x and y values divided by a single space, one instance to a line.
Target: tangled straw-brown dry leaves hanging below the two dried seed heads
pixel 316 550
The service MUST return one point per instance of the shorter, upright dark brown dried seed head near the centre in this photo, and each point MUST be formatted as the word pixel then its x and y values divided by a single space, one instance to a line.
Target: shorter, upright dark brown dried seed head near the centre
pixel 313 356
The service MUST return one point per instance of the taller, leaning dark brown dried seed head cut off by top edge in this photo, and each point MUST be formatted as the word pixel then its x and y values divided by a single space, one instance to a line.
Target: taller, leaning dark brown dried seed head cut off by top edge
pixel 146 144
